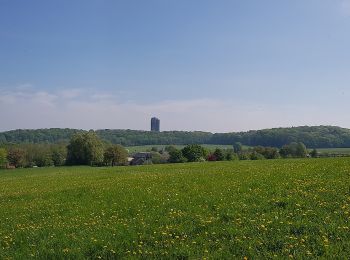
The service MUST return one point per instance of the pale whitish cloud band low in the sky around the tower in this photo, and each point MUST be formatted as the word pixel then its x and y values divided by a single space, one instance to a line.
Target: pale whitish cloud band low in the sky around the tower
pixel 94 110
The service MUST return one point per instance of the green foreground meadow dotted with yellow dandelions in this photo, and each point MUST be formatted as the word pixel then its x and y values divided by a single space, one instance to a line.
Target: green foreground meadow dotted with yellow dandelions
pixel 254 209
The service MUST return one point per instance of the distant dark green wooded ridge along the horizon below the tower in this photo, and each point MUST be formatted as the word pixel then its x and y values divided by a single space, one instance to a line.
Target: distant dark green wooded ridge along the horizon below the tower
pixel 312 137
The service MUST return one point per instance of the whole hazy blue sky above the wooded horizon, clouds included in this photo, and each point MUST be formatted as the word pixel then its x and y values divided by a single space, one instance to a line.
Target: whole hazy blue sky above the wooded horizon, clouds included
pixel 217 66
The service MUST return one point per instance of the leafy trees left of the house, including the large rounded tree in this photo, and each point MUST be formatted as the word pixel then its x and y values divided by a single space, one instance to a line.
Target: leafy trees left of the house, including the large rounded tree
pixel 84 148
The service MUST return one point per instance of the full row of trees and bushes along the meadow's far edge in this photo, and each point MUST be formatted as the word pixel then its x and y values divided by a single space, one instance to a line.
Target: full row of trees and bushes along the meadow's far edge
pixel 86 148
